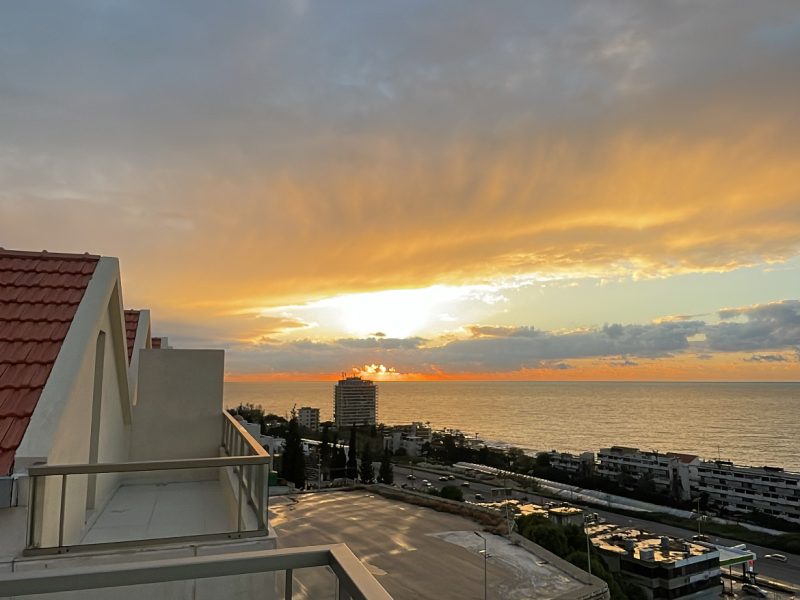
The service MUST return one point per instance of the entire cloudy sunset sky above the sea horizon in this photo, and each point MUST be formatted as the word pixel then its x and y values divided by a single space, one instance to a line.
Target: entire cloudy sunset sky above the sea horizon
pixel 422 190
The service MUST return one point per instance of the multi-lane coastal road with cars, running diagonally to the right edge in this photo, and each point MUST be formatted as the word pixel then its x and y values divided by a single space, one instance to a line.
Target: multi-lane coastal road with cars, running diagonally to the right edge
pixel 788 572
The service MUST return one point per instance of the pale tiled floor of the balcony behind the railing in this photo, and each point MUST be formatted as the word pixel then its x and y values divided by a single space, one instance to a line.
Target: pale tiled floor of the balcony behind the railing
pixel 146 511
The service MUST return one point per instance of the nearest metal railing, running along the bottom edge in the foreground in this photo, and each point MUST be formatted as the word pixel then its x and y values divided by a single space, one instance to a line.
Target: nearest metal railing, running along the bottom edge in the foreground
pixel 353 580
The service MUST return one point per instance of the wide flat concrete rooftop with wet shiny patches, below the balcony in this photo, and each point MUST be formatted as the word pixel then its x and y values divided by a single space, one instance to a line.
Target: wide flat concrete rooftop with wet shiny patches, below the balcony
pixel 413 552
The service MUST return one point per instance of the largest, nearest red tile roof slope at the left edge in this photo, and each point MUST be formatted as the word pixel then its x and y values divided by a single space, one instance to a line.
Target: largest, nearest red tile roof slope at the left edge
pixel 39 294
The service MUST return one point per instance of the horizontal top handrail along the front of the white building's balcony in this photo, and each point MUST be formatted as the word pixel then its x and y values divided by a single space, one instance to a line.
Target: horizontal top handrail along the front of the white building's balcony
pixel 147 465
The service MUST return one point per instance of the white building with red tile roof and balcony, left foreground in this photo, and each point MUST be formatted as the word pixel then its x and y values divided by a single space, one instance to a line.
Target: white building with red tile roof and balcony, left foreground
pixel 118 464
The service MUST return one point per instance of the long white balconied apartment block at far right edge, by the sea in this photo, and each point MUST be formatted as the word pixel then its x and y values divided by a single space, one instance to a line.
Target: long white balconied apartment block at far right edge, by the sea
pixel 770 490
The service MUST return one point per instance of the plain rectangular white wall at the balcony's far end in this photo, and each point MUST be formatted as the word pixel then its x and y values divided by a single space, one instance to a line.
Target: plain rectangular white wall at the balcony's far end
pixel 179 410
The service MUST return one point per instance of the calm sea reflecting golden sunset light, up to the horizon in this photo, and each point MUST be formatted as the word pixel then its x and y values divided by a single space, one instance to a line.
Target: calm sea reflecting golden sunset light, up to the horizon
pixel 748 423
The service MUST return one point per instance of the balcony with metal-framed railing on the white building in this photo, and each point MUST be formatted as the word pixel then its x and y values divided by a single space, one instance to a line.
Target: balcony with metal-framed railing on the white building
pixel 151 502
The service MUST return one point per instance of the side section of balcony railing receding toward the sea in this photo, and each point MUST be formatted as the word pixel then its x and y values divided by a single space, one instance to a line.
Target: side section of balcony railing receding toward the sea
pixel 237 441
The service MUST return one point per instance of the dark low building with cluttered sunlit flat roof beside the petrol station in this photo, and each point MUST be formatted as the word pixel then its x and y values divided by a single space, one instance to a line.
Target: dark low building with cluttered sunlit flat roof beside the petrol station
pixel 662 566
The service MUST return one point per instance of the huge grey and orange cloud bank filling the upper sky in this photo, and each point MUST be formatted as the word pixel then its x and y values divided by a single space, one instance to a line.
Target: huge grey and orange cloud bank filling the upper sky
pixel 598 138
